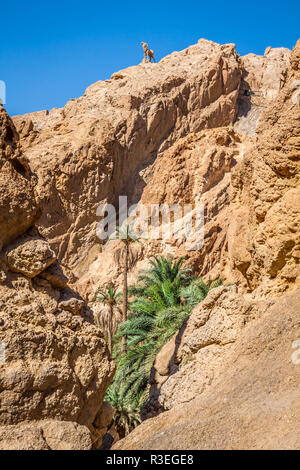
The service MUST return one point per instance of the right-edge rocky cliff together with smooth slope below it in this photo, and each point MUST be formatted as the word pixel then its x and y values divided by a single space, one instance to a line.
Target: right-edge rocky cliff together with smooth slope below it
pixel 229 378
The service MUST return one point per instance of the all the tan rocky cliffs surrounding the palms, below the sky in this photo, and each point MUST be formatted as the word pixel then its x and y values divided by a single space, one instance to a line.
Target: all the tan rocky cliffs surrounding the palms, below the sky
pixel 201 125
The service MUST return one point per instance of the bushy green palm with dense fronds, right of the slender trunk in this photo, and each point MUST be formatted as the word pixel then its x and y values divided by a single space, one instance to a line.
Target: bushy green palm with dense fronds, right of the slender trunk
pixel 164 297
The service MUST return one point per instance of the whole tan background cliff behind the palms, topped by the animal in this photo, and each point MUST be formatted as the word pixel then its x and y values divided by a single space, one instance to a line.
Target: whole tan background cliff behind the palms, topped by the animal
pixel 149 133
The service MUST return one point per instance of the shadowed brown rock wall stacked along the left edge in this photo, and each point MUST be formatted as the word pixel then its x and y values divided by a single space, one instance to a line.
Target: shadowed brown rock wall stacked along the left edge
pixel 55 364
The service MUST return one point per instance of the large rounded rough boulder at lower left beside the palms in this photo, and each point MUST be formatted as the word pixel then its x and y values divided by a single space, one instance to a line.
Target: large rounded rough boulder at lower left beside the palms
pixel 56 365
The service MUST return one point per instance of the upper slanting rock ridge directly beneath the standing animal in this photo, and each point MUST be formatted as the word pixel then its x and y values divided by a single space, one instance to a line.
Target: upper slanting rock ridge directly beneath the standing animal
pixel 105 143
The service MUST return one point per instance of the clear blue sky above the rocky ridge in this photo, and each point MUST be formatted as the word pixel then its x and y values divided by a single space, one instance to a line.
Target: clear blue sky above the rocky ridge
pixel 52 51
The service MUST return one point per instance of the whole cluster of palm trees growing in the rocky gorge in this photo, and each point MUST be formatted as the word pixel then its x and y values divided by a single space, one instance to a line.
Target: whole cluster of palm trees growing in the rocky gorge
pixel 160 302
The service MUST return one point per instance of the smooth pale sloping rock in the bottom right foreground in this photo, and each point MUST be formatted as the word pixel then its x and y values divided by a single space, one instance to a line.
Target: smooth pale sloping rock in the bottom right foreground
pixel 233 380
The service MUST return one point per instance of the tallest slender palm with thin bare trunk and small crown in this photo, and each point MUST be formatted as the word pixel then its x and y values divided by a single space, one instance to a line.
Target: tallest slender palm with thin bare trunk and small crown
pixel 128 237
